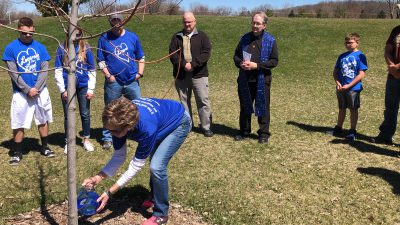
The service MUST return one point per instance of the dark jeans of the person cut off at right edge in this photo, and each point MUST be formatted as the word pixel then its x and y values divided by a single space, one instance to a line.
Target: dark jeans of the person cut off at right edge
pixel 392 99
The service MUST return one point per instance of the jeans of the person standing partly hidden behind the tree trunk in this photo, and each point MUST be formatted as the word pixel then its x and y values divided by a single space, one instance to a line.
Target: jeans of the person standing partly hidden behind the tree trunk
pixel 84 111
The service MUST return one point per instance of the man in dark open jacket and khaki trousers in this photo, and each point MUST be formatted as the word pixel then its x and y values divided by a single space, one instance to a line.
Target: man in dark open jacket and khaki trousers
pixel 190 70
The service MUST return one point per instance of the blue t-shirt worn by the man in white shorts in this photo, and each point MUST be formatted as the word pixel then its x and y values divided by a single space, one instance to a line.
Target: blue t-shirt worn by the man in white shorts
pixel 28 58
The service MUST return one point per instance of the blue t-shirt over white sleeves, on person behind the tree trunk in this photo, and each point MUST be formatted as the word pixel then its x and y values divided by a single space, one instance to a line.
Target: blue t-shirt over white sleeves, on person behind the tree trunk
pixel 82 68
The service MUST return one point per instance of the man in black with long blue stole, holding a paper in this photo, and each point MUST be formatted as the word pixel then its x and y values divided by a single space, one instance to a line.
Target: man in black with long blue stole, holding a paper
pixel 255 56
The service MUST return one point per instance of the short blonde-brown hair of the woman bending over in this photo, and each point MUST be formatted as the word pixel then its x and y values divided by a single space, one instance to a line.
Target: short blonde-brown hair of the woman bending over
pixel 120 113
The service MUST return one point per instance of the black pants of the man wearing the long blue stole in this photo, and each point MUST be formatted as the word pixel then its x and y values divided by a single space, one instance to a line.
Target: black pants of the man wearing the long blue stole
pixel 264 120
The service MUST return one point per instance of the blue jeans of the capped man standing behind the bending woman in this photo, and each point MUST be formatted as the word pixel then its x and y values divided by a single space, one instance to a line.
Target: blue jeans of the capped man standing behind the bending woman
pixel 112 91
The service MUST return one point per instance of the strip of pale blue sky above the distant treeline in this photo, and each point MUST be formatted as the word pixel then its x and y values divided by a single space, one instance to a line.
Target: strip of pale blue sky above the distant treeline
pixel 21 5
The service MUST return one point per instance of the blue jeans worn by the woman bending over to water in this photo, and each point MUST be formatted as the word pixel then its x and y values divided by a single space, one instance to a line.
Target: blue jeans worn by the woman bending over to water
pixel 159 162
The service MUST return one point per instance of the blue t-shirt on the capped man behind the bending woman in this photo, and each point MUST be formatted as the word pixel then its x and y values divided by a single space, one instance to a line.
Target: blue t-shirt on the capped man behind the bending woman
pixel 120 54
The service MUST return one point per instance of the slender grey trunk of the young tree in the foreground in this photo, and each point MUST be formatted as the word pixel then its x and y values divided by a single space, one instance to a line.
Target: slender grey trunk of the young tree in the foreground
pixel 71 117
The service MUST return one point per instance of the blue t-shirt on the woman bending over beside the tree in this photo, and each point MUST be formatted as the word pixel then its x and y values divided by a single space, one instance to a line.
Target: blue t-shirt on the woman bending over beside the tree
pixel 157 119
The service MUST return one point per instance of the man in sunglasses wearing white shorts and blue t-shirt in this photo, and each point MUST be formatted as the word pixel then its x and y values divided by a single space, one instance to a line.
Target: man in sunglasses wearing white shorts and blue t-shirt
pixel 27 61
